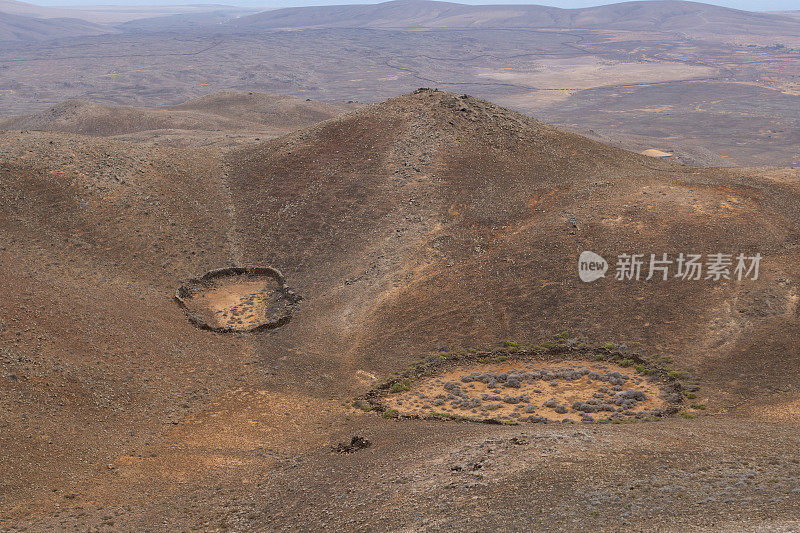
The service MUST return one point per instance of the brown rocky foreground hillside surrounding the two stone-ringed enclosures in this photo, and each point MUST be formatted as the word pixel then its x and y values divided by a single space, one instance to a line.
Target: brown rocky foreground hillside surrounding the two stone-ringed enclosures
pixel 426 221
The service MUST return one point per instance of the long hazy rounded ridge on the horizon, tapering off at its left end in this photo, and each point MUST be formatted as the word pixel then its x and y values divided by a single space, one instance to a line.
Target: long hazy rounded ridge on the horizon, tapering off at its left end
pixel 692 17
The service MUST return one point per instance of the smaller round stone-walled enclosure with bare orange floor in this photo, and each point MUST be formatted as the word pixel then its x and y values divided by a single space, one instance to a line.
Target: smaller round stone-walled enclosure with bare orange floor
pixel 237 299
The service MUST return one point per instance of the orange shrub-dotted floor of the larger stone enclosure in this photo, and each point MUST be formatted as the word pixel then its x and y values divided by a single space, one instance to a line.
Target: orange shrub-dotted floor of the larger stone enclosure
pixel 568 388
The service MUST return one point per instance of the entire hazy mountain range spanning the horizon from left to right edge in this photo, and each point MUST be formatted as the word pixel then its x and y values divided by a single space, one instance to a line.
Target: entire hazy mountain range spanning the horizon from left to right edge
pixel 21 21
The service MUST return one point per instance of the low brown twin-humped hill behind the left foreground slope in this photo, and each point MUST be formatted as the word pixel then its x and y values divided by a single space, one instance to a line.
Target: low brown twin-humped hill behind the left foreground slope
pixel 226 111
